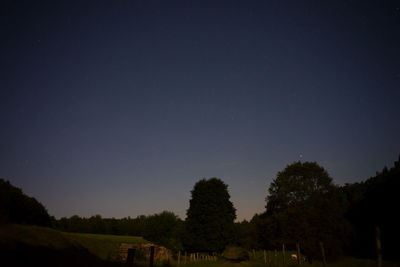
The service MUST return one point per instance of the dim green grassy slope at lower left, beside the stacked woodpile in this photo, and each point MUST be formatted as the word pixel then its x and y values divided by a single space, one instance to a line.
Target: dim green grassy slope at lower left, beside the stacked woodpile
pixel 20 244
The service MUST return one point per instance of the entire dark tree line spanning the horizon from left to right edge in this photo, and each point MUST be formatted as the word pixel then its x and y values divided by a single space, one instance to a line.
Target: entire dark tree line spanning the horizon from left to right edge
pixel 303 206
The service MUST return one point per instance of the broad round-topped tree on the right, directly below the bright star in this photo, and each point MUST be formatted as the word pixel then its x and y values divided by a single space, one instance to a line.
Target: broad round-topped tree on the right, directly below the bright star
pixel 305 206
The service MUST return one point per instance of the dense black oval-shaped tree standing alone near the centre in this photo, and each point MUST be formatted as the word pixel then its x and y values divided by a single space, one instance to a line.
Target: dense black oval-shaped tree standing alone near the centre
pixel 210 217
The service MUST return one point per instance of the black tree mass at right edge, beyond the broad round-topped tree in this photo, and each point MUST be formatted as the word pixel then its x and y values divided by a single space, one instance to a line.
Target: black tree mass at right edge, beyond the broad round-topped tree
pixel 372 204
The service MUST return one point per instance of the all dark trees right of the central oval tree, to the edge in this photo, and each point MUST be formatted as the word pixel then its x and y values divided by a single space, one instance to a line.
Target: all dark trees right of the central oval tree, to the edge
pixel 304 206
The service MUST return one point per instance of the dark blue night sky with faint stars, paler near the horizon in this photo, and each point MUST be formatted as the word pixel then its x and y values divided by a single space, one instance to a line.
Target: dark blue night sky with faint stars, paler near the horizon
pixel 117 108
